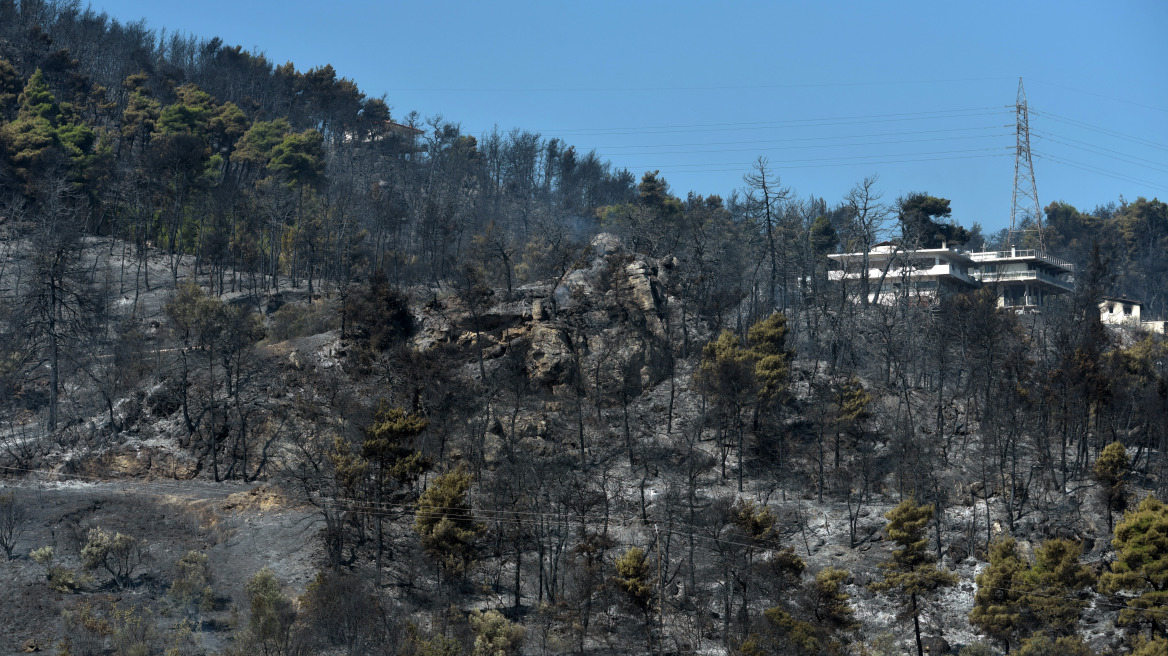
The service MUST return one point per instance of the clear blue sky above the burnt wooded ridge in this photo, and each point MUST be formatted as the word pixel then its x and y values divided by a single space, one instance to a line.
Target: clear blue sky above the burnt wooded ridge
pixel 921 94
